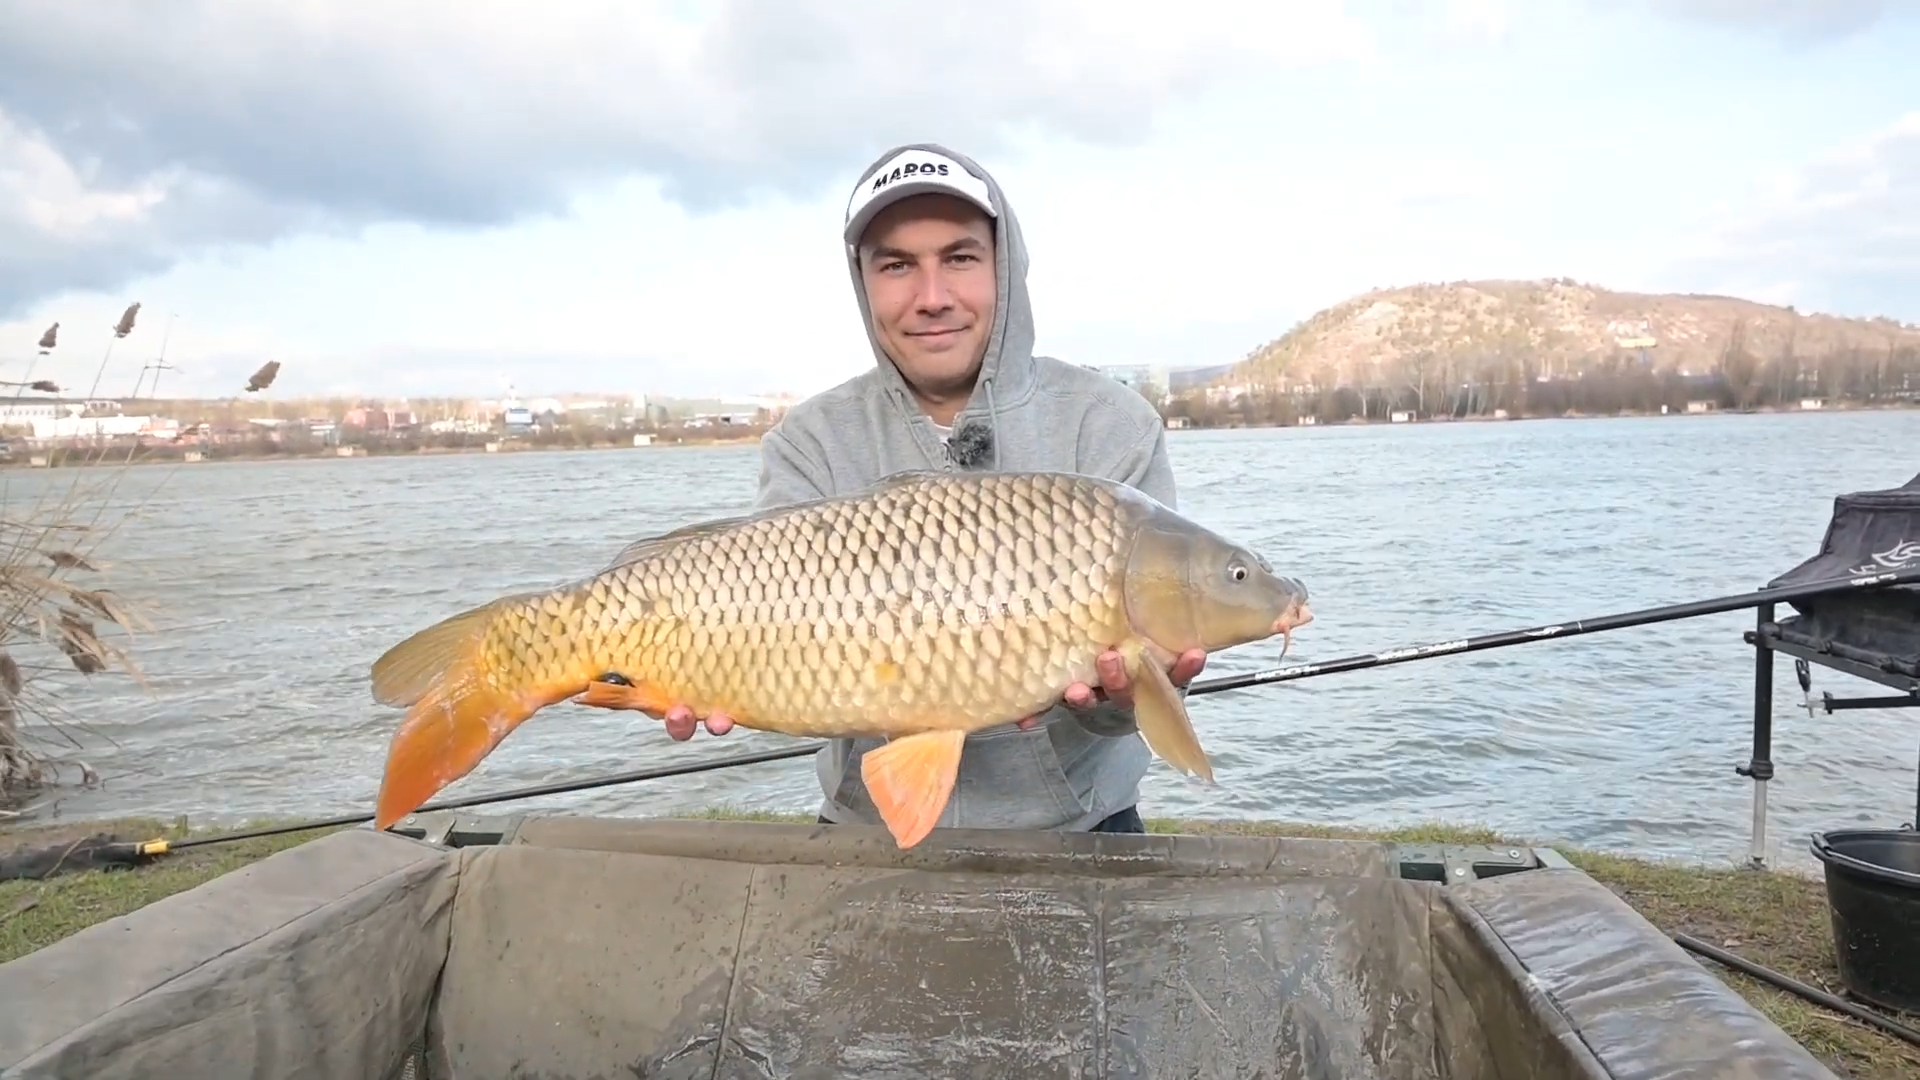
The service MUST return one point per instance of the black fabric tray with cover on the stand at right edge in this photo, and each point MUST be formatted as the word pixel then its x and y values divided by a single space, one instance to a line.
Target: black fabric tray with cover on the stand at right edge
pixel 1869 533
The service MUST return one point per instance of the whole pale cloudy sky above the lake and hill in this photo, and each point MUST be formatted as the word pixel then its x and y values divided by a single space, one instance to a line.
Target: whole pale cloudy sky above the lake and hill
pixel 444 197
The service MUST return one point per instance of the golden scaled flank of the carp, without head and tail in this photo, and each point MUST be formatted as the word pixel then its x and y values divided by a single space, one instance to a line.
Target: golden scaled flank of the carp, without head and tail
pixel 901 614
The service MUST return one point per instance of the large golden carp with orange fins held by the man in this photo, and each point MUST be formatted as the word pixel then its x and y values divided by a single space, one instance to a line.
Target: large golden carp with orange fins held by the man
pixel 928 608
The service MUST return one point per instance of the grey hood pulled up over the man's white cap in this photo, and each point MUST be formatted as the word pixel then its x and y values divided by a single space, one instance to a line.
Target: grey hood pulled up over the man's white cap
pixel 1007 370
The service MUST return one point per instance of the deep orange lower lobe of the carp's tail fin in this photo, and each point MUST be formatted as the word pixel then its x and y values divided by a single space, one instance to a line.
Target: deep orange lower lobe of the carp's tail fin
pixel 444 737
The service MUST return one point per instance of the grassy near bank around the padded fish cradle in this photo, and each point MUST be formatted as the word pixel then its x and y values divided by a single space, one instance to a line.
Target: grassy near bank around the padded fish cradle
pixel 1777 920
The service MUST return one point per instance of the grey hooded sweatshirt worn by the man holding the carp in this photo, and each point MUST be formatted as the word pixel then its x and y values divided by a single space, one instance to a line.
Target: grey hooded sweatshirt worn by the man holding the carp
pixel 1072 770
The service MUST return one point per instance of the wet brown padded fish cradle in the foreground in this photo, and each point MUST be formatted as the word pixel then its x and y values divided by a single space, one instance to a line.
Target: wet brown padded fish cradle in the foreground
pixel 688 950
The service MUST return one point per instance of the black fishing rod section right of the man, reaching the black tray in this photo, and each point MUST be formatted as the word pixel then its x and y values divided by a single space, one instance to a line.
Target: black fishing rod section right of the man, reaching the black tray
pixel 1554 631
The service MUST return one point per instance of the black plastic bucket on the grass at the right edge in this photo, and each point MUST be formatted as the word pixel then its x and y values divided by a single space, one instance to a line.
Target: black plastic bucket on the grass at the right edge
pixel 1873 891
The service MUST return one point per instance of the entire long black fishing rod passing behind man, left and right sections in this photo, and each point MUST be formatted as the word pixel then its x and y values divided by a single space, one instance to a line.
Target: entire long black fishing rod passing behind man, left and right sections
pixel 130 854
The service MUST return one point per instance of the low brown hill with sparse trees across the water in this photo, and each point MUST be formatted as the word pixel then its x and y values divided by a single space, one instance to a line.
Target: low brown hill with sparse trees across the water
pixel 1422 339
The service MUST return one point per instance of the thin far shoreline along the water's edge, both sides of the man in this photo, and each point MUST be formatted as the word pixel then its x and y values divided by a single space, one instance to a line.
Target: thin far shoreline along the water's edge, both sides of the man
pixel 172 456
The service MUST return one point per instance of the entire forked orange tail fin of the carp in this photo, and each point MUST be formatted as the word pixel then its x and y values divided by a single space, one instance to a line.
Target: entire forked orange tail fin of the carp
pixel 458 702
